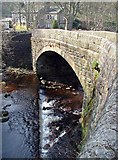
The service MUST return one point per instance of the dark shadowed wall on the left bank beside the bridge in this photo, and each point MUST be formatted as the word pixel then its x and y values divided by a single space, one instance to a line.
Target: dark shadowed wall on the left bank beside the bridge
pixel 16 49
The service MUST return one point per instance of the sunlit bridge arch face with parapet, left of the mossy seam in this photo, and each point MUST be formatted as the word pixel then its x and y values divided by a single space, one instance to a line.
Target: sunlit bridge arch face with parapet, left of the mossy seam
pixel 81 49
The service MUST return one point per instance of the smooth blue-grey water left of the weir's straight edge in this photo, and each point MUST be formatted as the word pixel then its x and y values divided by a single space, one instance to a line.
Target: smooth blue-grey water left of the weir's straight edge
pixel 20 134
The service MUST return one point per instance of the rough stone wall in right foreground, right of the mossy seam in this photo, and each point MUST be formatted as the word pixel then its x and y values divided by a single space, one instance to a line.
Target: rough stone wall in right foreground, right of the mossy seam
pixel 101 125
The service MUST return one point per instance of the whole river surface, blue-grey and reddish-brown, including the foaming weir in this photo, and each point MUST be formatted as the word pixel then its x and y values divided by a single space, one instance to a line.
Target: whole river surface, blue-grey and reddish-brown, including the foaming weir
pixel 43 122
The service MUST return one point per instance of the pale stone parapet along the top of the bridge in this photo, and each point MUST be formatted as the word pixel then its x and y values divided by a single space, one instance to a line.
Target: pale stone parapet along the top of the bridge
pixel 72 37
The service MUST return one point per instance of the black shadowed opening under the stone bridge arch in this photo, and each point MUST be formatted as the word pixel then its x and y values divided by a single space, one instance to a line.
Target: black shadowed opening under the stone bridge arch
pixel 53 67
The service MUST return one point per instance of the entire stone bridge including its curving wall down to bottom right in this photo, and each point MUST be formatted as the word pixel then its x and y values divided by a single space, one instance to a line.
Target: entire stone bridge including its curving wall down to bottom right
pixel 80 49
